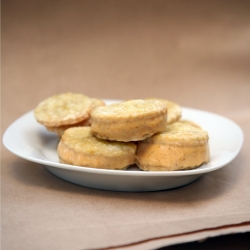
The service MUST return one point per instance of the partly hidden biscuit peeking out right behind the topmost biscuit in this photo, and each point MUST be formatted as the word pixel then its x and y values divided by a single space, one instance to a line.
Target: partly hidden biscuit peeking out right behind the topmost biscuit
pixel 174 110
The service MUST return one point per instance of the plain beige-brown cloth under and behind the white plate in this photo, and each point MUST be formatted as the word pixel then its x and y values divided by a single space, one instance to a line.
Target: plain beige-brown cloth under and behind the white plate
pixel 195 53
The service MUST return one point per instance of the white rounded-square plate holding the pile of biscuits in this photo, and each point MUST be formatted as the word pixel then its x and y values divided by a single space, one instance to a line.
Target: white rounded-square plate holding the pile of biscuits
pixel 31 141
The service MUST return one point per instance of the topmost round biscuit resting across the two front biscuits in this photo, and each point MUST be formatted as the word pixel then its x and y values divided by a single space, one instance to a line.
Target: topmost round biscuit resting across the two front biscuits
pixel 131 120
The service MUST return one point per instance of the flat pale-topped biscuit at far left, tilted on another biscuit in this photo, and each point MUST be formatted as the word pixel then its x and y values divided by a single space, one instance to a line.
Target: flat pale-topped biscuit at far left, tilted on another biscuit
pixel 63 109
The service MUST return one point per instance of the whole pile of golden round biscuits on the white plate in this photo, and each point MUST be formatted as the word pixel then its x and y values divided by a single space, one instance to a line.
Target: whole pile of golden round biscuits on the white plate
pixel 145 132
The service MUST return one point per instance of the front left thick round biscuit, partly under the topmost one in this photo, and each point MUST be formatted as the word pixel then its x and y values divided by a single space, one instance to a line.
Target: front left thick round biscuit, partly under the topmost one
pixel 79 147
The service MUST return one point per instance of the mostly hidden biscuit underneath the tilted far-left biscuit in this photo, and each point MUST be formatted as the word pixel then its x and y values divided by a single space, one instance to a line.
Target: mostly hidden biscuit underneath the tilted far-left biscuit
pixel 87 122
